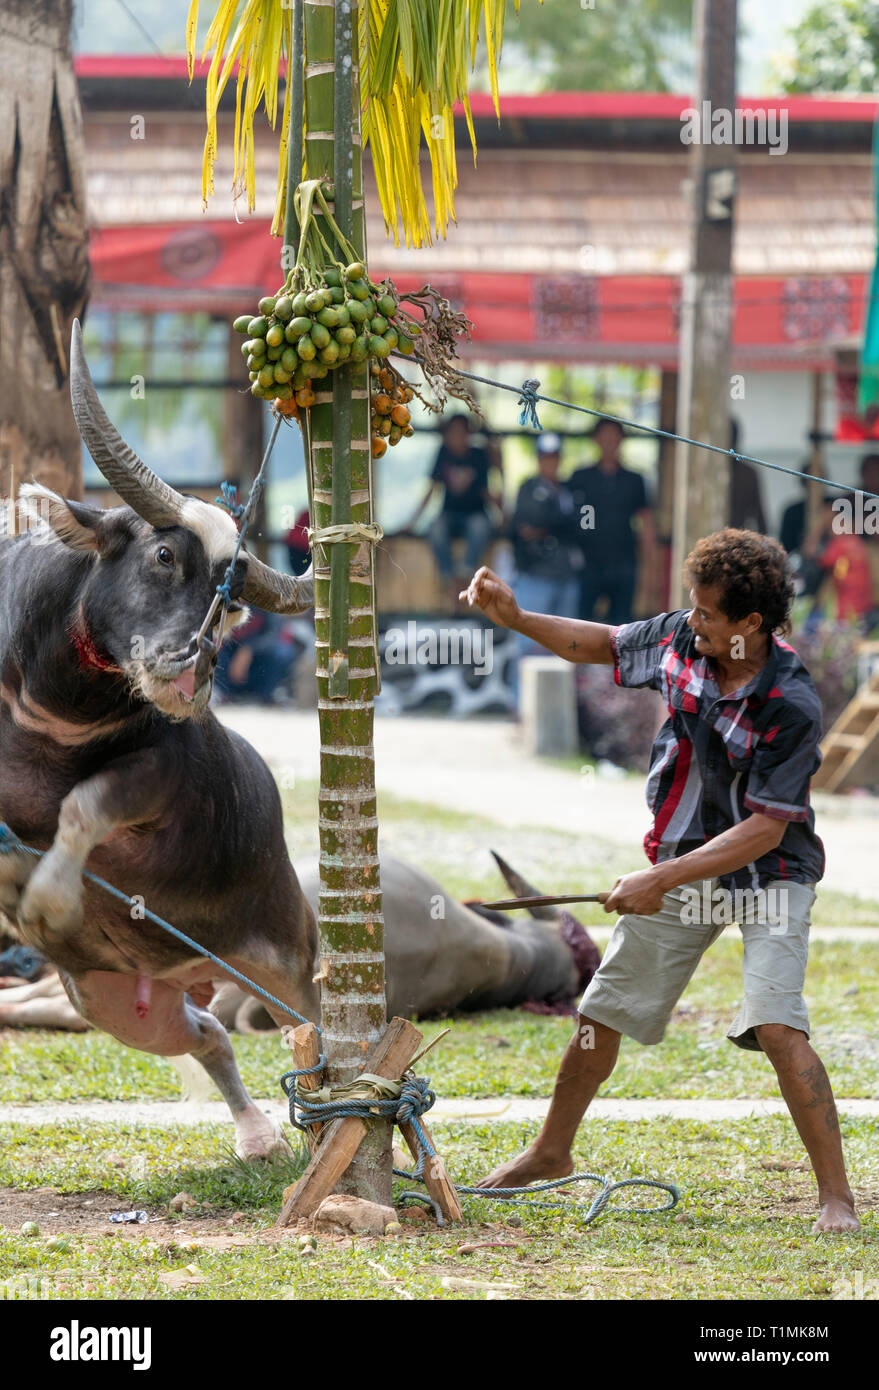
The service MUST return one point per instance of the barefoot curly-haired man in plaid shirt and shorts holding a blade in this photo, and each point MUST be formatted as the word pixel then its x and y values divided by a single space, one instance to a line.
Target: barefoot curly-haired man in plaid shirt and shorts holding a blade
pixel 729 796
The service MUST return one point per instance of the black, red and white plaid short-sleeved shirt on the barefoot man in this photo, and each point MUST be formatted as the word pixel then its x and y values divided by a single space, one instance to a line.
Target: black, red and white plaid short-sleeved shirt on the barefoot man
pixel 720 757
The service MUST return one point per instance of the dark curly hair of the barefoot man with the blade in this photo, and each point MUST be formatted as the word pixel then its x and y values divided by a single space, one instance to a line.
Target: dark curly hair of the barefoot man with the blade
pixel 752 573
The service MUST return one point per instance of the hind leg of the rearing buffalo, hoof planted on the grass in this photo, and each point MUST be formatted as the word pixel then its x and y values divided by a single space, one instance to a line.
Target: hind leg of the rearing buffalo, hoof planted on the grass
pixel 172 1028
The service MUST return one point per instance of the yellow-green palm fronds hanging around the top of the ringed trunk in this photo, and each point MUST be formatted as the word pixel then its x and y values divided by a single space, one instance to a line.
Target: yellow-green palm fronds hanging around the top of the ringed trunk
pixel 415 59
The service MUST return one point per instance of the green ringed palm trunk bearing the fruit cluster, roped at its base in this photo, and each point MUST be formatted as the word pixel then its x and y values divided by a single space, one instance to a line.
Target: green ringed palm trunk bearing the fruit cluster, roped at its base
pixel 350 917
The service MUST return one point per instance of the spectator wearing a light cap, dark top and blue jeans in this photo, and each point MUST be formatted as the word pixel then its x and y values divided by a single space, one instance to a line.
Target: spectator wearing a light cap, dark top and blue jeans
pixel 546 547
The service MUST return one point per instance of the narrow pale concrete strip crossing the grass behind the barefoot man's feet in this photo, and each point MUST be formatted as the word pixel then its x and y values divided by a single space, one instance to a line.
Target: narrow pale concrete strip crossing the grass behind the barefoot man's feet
pixel 461 1111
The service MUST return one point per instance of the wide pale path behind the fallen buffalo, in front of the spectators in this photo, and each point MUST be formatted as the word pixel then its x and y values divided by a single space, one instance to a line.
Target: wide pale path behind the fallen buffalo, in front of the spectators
pixel 478 767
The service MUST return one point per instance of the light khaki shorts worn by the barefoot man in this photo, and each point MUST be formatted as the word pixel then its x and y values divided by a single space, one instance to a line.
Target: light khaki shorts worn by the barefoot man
pixel 650 961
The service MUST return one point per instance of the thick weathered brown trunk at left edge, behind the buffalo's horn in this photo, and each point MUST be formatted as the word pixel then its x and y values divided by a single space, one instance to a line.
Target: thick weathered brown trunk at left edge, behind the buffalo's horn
pixel 44 245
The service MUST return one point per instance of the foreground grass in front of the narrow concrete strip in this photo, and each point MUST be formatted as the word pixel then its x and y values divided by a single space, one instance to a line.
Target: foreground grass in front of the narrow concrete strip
pixel 742 1229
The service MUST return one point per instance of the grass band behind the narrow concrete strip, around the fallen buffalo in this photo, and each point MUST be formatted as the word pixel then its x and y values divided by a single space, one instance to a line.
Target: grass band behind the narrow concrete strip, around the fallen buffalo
pixel 514 1053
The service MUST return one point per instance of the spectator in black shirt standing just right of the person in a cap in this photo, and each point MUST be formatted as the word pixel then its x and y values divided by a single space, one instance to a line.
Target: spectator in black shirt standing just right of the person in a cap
pixel 608 500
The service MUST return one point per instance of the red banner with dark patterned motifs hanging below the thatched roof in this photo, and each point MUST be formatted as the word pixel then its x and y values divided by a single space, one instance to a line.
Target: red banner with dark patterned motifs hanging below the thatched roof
pixel 225 268
